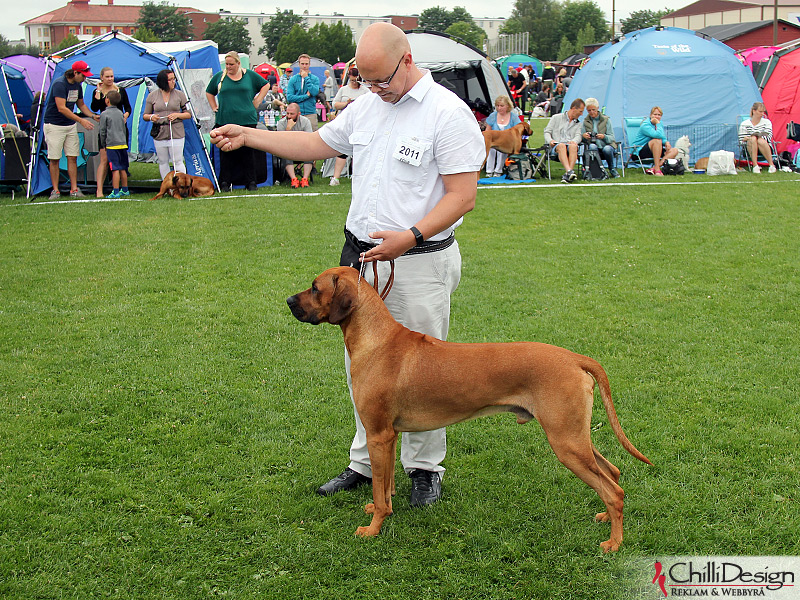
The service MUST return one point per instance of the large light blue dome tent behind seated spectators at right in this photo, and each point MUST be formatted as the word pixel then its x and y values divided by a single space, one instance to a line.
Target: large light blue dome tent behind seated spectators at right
pixel 698 82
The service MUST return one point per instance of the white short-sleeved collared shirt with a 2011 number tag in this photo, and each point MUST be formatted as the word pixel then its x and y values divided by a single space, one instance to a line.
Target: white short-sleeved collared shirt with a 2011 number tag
pixel 431 128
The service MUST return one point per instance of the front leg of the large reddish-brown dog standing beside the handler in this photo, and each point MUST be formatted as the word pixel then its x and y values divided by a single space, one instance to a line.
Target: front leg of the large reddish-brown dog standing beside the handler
pixel 381 449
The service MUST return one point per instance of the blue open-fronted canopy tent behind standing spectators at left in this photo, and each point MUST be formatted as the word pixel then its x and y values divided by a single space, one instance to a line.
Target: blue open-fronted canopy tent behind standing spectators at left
pixel 135 66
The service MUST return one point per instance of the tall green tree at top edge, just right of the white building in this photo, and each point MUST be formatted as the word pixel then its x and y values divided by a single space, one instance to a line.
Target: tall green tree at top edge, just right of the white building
pixel 541 18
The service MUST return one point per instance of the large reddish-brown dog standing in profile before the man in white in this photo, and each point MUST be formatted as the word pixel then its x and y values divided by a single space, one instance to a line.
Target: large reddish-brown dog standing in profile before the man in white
pixel 407 381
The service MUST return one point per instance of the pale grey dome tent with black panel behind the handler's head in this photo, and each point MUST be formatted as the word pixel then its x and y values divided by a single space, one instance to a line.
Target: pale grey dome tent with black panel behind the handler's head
pixel 459 67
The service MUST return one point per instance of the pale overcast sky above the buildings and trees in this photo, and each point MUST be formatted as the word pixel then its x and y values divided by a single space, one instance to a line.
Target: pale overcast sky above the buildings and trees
pixel 16 12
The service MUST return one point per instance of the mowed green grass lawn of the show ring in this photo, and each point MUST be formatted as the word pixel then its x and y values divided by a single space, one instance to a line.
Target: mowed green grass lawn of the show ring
pixel 164 420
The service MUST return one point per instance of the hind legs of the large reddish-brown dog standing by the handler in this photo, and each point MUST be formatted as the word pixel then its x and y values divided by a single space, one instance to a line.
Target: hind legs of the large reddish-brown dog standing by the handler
pixel 580 459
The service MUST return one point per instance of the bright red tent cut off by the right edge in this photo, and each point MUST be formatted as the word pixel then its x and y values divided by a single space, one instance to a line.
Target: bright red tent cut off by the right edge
pixel 779 81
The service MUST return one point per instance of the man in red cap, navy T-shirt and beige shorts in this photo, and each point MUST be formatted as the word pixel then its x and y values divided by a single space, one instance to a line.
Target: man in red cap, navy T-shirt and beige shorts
pixel 60 125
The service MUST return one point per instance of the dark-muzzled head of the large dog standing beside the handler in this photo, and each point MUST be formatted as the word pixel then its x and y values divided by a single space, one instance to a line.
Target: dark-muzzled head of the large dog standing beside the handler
pixel 330 299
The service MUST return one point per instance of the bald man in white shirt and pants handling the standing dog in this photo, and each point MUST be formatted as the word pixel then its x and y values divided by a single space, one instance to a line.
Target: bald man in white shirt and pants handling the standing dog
pixel 417 151
